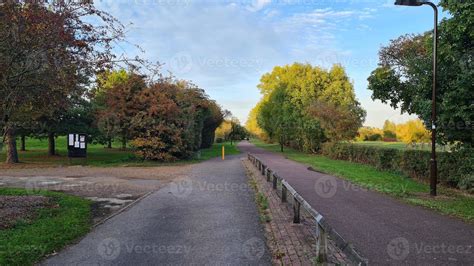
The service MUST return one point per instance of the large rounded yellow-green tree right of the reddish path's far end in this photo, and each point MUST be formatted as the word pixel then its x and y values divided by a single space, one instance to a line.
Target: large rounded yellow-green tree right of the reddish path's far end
pixel 298 101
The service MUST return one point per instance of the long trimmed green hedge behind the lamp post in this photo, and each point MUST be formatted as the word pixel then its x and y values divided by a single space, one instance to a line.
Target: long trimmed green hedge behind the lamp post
pixel 455 169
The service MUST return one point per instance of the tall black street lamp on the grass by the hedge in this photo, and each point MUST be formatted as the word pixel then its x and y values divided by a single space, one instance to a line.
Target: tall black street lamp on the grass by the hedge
pixel 434 166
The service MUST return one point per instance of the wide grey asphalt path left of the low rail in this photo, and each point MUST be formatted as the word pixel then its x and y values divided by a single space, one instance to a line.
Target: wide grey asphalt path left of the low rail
pixel 209 218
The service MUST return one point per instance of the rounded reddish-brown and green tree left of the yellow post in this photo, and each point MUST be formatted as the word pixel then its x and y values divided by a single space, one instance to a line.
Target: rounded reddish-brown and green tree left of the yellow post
pixel 170 120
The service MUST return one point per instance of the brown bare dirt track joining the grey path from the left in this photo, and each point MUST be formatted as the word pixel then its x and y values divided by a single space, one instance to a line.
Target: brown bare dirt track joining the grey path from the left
pixel 111 189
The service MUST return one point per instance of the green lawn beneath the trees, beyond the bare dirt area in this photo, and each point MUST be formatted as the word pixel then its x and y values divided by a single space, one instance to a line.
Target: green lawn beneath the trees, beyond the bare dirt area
pixel 97 155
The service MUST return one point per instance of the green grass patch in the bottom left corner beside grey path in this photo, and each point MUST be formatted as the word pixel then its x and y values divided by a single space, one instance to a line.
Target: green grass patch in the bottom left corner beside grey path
pixel 51 230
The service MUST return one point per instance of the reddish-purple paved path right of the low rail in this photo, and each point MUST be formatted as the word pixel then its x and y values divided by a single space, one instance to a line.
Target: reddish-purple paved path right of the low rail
pixel 382 229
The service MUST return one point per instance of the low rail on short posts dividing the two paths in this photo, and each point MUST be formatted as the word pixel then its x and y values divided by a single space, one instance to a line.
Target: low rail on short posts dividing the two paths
pixel 323 229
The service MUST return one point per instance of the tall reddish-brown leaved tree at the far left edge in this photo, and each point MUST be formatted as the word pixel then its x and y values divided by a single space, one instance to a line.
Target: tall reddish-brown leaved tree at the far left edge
pixel 47 51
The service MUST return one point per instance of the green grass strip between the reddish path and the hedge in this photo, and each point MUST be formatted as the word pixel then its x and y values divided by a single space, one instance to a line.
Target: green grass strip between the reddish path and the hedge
pixel 450 202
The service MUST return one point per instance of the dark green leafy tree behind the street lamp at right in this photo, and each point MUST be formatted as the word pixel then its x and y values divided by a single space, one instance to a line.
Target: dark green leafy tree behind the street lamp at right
pixel 403 77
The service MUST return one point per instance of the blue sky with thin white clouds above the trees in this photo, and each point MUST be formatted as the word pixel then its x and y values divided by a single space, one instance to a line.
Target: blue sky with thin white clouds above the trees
pixel 225 46
